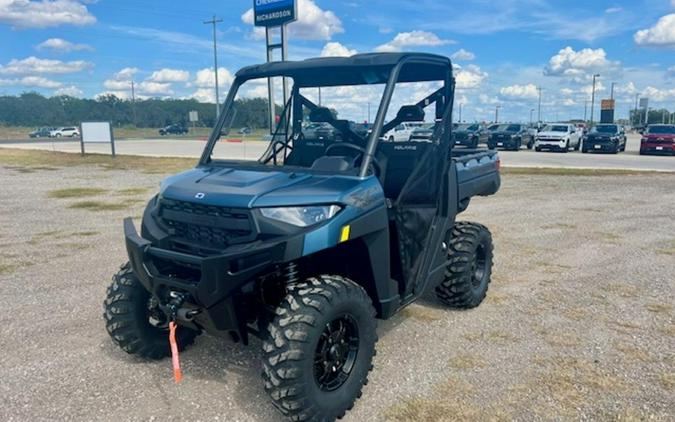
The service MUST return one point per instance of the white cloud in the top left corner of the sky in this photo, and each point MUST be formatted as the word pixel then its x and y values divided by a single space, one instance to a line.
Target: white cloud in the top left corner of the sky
pixel 44 13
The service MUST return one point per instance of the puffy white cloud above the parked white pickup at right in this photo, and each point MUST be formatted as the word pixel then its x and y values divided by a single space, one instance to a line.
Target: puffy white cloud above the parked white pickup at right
pixel 572 63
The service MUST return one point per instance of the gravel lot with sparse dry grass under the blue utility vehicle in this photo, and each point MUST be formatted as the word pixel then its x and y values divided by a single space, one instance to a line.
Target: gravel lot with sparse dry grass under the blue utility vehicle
pixel 578 324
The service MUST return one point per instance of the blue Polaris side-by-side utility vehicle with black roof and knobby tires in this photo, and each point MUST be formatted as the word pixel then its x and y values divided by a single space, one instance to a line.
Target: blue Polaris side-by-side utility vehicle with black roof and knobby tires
pixel 307 245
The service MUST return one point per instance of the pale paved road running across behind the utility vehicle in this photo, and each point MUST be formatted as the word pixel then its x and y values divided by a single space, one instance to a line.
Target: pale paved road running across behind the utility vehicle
pixel 630 159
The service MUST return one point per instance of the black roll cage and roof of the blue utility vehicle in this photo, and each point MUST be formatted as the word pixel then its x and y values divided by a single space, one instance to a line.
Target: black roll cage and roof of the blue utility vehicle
pixel 361 69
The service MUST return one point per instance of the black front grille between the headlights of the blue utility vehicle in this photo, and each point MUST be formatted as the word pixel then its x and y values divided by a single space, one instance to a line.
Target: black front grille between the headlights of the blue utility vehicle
pixel 207 225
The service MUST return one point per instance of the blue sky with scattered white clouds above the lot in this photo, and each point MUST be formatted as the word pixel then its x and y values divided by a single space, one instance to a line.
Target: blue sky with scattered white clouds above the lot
pixel 502 49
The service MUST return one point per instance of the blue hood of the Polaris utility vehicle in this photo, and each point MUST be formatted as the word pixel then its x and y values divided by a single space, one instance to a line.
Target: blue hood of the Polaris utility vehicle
pixel 239 188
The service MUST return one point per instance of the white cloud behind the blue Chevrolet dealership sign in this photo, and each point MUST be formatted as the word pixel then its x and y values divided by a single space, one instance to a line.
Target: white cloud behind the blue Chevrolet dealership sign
pixel 313 22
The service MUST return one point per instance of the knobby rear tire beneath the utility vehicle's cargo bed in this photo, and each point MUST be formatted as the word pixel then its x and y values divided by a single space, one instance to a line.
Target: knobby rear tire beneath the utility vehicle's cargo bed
pixel 468 272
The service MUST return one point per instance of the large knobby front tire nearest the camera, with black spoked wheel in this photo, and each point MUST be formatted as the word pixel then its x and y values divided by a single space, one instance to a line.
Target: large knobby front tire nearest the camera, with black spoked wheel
pixel 304 337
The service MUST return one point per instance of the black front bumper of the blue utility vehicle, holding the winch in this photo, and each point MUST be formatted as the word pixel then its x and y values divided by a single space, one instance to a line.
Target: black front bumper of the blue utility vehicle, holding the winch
pixel 212 283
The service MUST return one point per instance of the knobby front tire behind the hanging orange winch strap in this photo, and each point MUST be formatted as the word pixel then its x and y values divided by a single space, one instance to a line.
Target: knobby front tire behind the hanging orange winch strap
pixel 127 316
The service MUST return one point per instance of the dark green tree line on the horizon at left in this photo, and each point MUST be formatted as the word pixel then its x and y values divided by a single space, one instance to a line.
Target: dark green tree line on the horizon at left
pixel 34 110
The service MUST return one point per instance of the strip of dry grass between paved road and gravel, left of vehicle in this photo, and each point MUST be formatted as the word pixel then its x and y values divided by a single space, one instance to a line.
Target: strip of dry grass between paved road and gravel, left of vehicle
pixel 35 159
